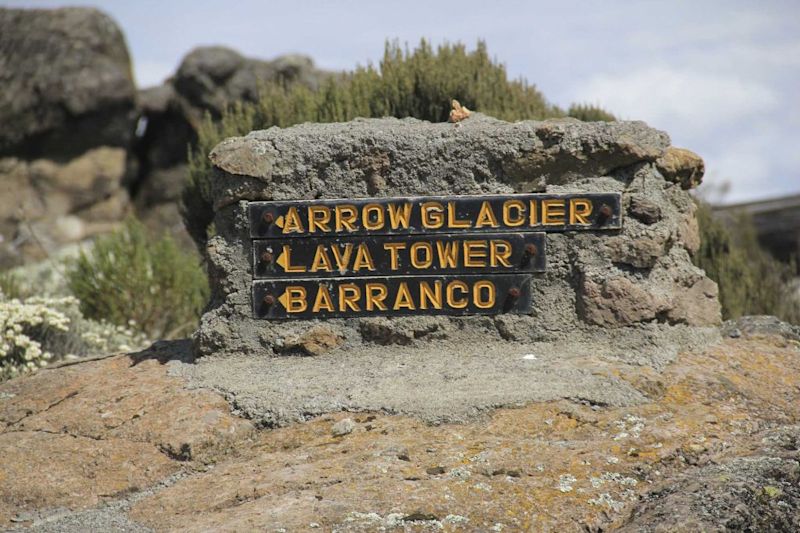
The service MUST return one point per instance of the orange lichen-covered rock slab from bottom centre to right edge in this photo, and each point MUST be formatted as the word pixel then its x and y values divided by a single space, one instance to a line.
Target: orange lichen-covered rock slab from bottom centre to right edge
pixel 554 466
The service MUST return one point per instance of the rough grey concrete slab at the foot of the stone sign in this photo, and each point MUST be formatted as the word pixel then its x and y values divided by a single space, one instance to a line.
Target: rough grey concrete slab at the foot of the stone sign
pixel 440 381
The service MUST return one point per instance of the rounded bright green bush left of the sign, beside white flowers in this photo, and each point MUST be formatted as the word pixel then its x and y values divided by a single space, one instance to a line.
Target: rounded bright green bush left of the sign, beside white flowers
pixel 130 276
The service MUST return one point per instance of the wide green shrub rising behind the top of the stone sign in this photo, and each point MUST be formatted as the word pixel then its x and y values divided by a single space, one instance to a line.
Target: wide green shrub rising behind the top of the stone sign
pixel 419 83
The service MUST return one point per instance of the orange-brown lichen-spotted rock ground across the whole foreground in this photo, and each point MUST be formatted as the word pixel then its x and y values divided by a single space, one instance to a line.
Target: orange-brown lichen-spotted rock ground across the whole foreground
pixel 121 443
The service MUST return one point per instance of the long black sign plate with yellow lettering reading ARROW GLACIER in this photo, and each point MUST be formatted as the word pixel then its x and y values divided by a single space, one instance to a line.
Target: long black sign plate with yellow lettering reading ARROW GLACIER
pixel 435 214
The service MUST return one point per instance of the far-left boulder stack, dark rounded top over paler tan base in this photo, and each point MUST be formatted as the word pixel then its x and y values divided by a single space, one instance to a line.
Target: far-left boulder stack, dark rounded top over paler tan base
pixel 68 113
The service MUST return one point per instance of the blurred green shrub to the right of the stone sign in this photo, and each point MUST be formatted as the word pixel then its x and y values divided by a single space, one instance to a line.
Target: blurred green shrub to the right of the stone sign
pixel 751 281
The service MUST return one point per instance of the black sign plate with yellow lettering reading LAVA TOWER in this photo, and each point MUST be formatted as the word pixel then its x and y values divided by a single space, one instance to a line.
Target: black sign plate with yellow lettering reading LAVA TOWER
pixel 386 255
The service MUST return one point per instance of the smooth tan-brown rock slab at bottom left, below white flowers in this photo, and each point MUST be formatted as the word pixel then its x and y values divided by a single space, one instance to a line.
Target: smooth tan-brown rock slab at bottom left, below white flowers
pixel 86 433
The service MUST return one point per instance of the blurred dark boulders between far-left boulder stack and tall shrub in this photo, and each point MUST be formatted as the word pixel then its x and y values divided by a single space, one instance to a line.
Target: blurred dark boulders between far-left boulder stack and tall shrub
pixel 208 80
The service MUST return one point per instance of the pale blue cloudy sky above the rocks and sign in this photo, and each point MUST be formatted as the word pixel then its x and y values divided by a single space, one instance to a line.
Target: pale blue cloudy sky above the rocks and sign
pixel 721 77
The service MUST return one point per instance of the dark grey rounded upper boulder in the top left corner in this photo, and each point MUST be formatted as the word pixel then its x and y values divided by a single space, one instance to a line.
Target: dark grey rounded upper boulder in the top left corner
pixel 67 82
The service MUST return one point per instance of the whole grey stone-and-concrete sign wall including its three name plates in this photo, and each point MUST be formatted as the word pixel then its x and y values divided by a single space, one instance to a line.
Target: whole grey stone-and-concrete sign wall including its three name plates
pixel 393 230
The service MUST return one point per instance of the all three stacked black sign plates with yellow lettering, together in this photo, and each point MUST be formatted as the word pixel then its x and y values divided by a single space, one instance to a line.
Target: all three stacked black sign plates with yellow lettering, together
pixel 455 255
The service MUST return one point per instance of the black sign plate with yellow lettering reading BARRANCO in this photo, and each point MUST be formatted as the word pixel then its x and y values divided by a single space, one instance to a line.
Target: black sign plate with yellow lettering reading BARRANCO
pixel 392 296
